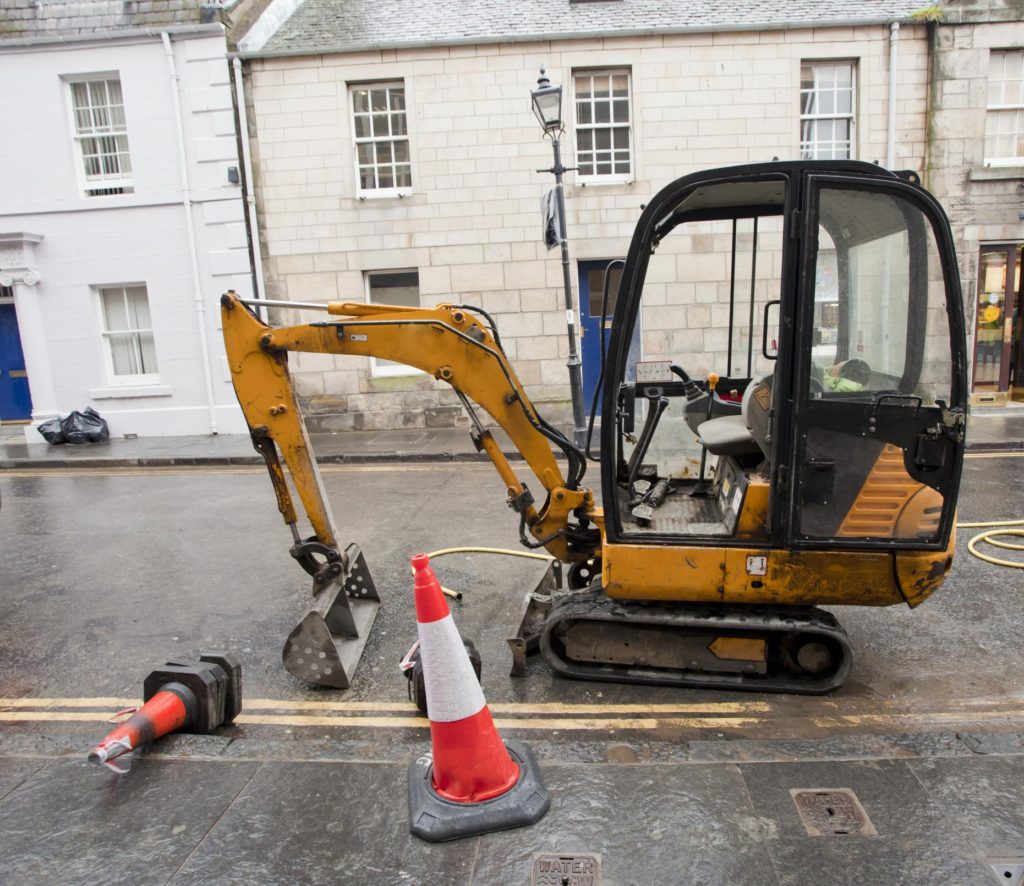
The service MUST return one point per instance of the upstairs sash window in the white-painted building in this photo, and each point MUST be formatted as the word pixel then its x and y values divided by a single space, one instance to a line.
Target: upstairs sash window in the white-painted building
pixel 102 137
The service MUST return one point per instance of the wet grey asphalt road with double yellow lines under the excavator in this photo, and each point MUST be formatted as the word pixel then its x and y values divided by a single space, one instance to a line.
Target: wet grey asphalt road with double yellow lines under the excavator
pixel 91 604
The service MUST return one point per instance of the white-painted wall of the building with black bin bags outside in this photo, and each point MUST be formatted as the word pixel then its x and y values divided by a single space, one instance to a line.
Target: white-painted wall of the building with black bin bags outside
pixel 127 239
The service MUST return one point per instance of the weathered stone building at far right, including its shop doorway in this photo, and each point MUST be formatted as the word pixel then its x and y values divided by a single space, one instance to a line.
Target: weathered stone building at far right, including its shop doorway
pixel 976 168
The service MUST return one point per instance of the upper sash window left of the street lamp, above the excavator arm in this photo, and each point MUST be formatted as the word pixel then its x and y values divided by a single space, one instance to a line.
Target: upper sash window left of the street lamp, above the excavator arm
pixel 381 136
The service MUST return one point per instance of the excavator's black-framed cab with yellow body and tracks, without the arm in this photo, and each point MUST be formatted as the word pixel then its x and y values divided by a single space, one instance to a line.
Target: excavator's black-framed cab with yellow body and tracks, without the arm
pixel 792 434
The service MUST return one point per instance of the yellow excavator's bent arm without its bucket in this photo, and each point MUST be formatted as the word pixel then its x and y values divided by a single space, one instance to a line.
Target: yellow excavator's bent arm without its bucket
pixel 455 345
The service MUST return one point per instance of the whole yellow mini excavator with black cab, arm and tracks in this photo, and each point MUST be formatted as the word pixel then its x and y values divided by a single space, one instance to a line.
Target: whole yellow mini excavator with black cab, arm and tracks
pixel 798 326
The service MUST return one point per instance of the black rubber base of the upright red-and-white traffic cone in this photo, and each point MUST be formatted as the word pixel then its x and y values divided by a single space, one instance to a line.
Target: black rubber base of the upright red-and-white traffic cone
pixel 434 819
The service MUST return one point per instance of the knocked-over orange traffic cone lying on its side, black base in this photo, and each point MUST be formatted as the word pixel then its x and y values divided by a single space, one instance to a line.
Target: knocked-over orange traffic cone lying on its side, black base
pixel 183 695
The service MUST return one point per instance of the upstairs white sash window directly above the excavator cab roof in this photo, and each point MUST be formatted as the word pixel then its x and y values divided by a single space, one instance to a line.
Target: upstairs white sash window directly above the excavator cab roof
pixel 827 111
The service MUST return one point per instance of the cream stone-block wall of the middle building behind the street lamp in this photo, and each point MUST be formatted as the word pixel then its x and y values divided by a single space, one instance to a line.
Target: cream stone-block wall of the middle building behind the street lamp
pixel 473 226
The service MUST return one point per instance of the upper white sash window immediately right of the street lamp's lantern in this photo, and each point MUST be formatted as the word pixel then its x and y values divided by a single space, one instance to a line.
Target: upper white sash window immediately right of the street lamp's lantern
pixel 604 125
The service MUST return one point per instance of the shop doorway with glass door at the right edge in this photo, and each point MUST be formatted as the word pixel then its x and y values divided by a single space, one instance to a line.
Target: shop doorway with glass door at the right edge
pixel 998 351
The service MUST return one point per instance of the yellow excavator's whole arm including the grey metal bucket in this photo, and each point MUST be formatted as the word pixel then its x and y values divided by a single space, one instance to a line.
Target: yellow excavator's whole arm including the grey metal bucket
pixel 456 345
